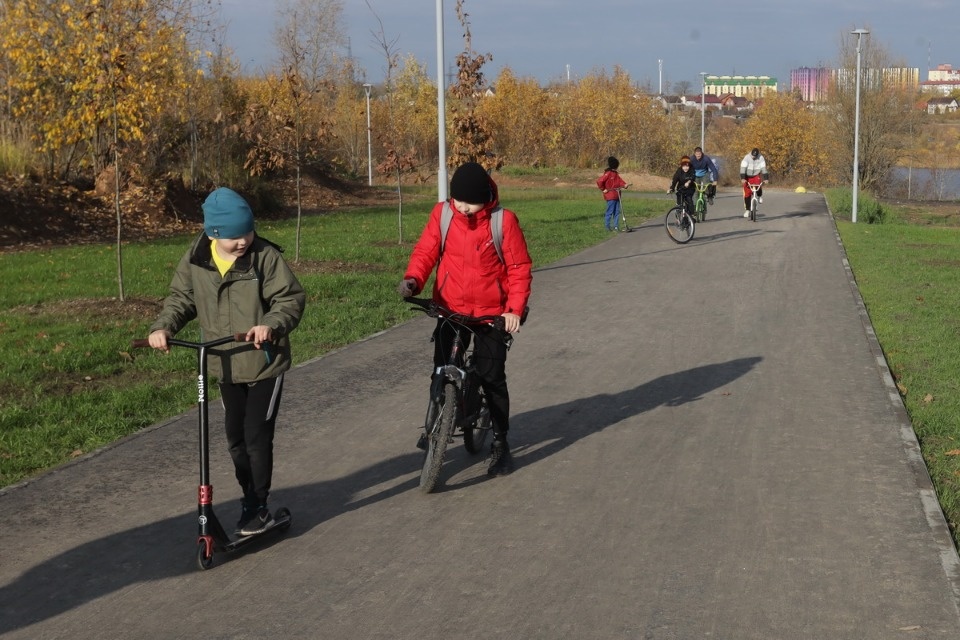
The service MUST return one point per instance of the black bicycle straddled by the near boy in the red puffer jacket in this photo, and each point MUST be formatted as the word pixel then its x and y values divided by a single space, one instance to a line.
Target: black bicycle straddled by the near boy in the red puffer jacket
pixel 457 407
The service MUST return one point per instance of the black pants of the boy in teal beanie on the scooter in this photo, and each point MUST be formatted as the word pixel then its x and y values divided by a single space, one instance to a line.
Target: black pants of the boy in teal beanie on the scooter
pixel 251 416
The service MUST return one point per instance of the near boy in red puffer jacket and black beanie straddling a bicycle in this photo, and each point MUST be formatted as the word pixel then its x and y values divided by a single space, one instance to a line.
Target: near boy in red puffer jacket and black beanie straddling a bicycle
pixel 473 280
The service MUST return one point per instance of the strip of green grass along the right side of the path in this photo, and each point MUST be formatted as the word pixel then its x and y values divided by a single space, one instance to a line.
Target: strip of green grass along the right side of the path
pixel 909 277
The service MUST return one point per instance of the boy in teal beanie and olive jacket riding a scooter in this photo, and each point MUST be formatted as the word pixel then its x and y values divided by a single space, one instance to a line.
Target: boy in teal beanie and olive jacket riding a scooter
pixel 233 281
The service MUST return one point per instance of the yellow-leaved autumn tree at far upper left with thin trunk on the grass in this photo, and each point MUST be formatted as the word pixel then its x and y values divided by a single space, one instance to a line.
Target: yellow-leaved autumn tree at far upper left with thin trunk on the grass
pixel 91 77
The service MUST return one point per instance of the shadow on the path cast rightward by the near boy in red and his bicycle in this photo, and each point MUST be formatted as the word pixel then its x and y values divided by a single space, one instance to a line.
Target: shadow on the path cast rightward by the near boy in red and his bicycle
pixel 563 424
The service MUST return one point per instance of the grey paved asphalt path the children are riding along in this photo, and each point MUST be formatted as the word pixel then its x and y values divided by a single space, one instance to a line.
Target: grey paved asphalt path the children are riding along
pixel 708 445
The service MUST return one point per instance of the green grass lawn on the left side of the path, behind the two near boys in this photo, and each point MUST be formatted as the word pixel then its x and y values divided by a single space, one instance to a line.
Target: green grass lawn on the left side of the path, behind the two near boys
pixel 70 384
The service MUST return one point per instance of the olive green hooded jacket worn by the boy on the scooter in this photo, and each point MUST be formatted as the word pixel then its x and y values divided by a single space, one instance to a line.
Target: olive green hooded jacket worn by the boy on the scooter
pixel 259 289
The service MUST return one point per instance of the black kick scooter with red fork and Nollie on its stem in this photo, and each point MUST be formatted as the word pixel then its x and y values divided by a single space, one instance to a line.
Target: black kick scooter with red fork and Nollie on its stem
pixel 211 536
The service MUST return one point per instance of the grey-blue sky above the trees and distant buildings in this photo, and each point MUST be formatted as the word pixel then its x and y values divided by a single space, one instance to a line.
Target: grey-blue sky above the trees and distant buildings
pixel 656 43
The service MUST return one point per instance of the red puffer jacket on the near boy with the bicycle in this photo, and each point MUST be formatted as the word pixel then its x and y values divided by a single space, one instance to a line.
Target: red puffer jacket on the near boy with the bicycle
pixel 470 277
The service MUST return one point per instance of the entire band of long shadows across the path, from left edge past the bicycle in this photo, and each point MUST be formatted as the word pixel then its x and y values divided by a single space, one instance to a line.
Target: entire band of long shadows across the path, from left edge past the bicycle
pixel 162 549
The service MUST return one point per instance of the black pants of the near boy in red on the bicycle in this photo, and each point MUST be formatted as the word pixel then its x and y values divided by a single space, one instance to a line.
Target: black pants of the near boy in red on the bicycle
pixel 490 360
